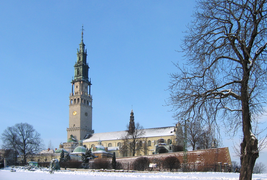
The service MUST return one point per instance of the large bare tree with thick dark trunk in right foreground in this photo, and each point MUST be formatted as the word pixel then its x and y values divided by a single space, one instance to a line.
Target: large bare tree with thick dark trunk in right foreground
pixel 226 73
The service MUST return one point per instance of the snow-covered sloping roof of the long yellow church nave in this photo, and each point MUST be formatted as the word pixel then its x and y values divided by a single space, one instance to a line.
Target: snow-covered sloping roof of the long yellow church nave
pixel 117 135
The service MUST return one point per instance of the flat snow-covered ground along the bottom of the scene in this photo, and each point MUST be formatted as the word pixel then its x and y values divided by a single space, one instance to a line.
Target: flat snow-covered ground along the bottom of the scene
pixel 21 174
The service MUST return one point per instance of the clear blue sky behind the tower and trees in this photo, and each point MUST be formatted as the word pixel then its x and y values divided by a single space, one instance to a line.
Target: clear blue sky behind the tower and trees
pixel 131 47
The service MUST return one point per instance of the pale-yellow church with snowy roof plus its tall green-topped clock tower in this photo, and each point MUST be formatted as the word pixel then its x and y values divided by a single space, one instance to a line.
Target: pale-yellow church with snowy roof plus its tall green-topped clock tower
pixel 153 140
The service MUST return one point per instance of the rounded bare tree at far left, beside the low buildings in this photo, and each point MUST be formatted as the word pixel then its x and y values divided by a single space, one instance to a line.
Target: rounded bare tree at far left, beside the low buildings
pixel 23 139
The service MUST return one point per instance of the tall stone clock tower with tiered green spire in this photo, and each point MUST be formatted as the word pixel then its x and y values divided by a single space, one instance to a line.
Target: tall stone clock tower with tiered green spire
pixel 80 100
